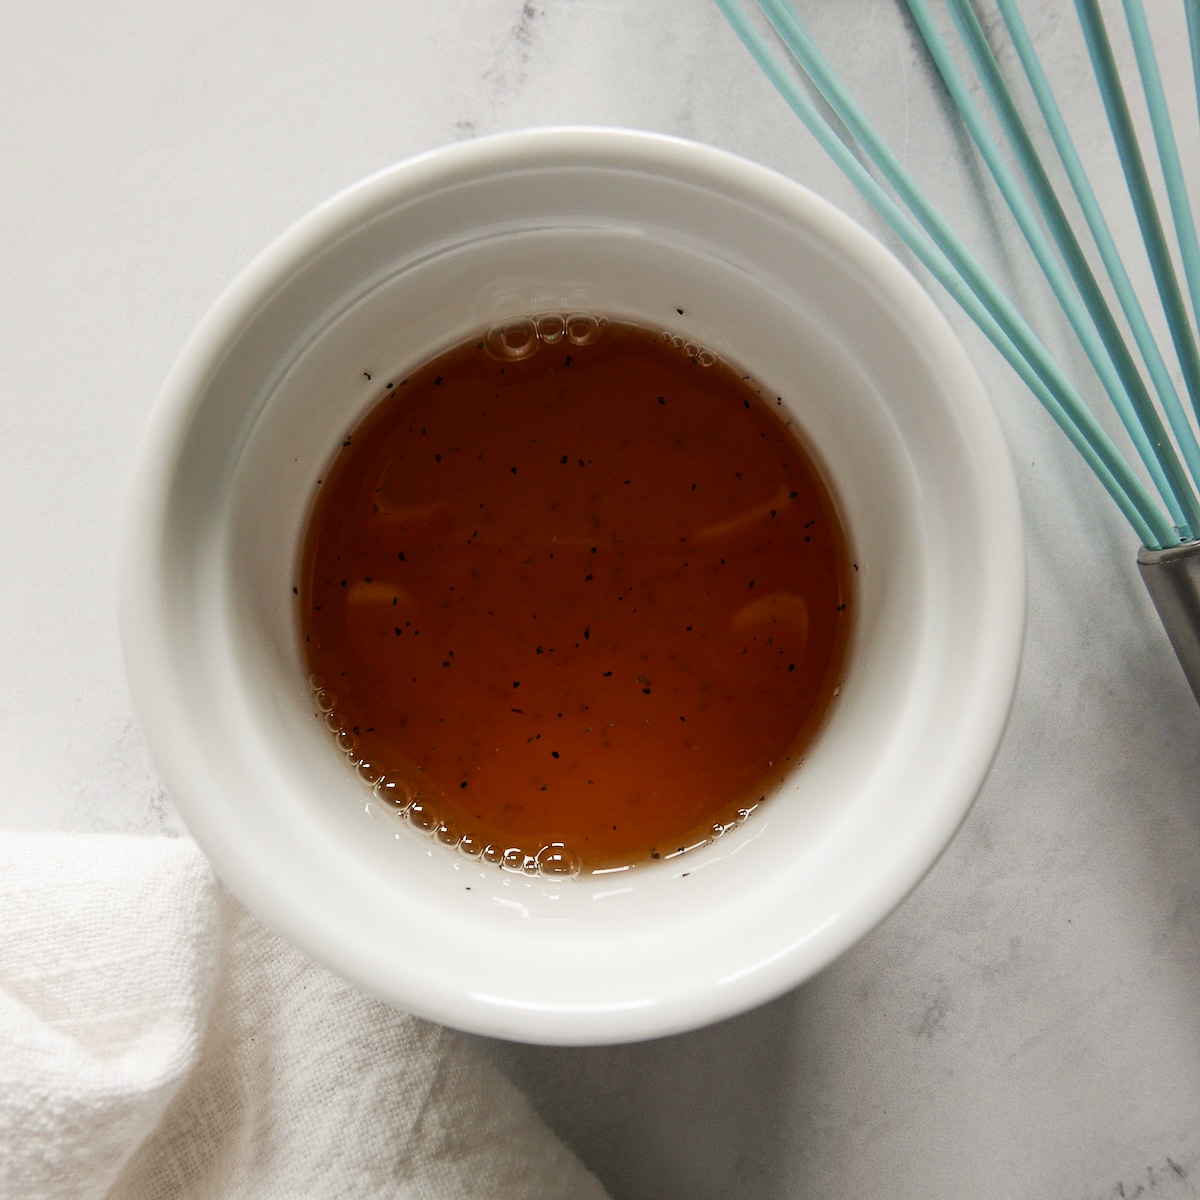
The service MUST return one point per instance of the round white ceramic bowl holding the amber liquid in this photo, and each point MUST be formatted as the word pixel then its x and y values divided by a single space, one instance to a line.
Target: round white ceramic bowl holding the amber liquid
pixel 413 260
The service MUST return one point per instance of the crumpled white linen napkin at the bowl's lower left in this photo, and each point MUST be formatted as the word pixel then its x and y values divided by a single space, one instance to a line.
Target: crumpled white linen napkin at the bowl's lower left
pixel 158 1042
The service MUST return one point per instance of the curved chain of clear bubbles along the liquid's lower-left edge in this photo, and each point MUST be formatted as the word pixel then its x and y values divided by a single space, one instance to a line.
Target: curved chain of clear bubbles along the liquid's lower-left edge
pixel 406 803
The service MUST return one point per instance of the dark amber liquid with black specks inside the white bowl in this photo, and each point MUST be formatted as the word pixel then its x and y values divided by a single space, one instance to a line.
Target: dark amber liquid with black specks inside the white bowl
pixel 598 597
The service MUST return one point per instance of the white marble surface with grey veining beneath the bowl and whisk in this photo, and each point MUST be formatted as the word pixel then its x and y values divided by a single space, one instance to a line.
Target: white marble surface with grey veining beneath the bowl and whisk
pixel 1028 1024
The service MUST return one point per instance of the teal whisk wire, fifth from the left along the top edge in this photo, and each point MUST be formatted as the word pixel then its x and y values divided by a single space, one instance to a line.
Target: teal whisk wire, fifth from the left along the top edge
pixel 1102 236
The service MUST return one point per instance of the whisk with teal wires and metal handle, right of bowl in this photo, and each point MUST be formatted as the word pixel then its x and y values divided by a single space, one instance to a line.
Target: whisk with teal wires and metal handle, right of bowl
pixel 1162 433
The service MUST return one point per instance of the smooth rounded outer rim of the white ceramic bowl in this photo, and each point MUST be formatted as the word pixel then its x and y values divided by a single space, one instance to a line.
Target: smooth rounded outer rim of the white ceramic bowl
pixel 143 620
